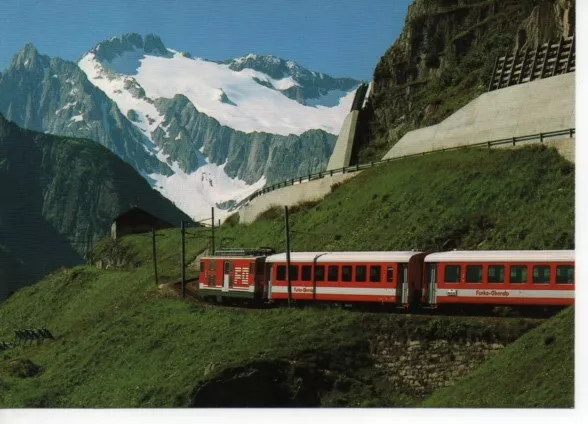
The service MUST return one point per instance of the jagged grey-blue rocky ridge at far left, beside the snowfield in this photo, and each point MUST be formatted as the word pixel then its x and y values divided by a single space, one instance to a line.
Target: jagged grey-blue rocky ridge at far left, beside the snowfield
pixel 53 95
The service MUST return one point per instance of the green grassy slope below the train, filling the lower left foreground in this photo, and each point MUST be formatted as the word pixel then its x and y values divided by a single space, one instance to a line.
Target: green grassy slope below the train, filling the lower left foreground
pixel 121 343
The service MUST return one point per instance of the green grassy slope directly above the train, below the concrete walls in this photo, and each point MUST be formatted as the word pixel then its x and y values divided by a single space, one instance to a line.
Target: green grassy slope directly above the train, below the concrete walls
pixel 473 199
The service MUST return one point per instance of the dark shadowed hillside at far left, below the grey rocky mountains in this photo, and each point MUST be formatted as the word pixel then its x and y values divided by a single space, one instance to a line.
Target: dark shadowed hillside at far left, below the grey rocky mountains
pixel 59 196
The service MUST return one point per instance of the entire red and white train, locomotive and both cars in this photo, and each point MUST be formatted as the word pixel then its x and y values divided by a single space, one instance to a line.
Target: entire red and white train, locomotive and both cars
pixel 402 279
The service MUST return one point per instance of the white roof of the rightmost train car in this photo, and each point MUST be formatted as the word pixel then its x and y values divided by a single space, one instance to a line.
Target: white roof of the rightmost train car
pixel 501 256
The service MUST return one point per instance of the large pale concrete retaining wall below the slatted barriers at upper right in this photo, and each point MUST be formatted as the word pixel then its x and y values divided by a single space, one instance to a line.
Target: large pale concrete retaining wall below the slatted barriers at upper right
pixel 531 108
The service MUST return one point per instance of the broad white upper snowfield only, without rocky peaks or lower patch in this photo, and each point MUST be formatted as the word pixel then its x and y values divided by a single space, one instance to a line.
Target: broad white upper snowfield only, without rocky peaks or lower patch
pixel 235 99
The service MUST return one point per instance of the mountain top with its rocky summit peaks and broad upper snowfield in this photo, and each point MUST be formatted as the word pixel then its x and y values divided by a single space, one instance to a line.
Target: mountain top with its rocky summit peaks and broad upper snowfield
pixel 245 94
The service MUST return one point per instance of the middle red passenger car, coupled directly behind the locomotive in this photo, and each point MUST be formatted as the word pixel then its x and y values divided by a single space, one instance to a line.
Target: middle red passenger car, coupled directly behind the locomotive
pixel 383 277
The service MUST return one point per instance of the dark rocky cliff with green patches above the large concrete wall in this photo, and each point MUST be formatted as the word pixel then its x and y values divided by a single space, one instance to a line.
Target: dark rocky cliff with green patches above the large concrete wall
pixel 444 56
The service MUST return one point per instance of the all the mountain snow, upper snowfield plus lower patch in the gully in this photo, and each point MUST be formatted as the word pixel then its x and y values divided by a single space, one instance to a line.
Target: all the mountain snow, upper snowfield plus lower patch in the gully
pixel 248 100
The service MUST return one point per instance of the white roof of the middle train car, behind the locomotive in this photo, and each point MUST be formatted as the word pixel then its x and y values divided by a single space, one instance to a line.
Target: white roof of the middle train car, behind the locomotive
pixel 322 257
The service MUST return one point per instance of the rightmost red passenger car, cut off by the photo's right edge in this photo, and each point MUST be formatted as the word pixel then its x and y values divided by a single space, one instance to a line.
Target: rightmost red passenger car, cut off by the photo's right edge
pixel 515 277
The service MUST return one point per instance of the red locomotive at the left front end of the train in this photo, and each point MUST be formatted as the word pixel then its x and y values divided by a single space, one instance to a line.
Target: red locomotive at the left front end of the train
pixel 235 273
